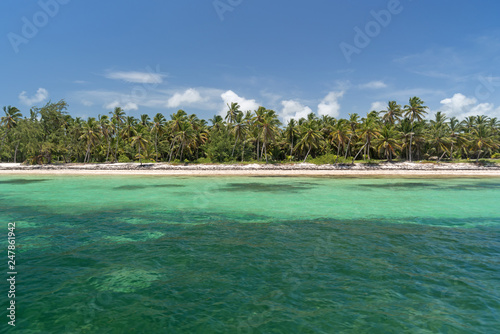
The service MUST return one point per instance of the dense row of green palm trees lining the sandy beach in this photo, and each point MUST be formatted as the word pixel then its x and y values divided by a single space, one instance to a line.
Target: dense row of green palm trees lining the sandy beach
pixel 49 134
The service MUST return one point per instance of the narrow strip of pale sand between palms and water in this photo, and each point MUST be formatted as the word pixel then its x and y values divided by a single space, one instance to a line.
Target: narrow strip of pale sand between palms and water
pixel 300 169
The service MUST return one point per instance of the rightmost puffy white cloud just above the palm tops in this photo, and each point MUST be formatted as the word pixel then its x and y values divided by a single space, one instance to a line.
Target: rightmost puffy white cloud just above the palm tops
pixel 461 106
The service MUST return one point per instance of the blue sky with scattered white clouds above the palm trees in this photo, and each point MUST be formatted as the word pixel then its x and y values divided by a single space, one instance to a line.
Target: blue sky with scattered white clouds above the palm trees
pixel 322 56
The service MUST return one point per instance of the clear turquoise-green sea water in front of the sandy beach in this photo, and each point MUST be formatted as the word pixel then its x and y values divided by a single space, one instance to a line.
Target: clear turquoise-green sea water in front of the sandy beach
pixel 253 255
